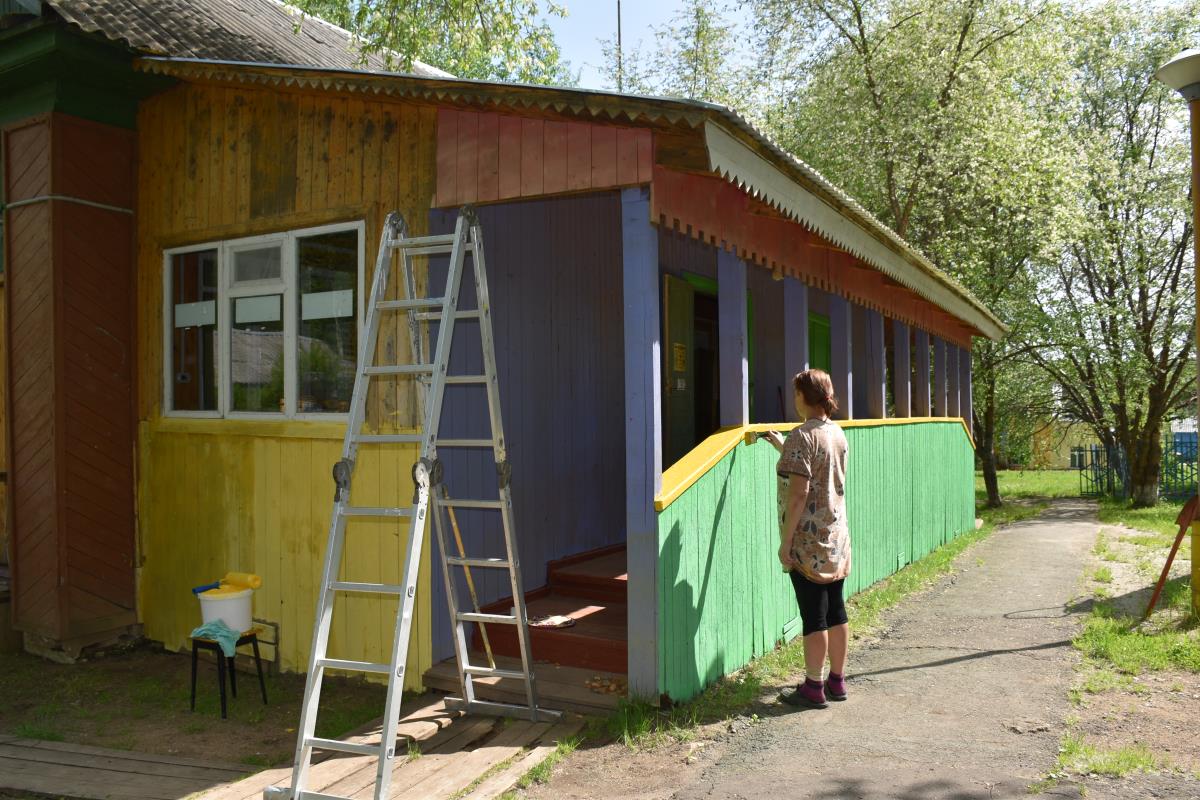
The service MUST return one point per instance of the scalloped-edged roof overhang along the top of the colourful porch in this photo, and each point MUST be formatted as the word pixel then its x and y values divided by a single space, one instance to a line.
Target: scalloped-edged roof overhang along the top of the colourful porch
pixel 602 105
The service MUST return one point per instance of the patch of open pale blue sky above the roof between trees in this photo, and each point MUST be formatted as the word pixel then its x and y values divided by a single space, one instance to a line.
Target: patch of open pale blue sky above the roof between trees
pixel 590 21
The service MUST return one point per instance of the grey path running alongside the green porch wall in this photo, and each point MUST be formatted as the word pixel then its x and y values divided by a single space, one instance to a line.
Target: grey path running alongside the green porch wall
pixel 964 697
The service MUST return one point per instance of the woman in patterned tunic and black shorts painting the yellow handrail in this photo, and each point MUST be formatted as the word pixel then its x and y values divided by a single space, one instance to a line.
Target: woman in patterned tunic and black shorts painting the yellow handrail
pixel 814 536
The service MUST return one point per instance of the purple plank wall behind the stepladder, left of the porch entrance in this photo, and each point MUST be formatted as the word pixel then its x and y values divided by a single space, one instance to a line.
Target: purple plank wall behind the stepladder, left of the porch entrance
pixel 555 278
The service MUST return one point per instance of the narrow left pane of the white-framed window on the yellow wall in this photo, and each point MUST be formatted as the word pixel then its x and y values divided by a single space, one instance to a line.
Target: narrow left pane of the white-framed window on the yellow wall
pixel 194 341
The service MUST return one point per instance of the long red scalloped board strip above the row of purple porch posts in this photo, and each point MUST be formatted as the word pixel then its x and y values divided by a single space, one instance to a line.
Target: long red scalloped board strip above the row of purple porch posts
pixel 716 212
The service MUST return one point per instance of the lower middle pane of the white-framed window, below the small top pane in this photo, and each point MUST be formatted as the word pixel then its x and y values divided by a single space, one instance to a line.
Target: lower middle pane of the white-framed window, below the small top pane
pixel 256 353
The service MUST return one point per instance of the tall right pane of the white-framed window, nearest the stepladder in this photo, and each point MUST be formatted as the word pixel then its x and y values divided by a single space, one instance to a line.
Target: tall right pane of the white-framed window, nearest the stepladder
pixel 327 346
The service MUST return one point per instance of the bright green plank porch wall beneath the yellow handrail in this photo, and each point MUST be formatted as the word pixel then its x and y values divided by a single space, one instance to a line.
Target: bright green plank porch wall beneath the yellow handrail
pixel 723 598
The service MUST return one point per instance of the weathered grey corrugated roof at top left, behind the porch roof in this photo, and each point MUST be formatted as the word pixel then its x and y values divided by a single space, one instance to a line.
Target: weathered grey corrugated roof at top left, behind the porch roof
pixel 225 31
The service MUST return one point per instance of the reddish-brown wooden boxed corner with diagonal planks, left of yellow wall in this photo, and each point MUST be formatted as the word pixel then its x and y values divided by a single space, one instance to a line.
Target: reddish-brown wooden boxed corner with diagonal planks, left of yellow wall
pixel 70 339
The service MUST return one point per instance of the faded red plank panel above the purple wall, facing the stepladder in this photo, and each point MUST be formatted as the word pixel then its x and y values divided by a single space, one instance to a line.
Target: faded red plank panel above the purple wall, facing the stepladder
pixel 484 158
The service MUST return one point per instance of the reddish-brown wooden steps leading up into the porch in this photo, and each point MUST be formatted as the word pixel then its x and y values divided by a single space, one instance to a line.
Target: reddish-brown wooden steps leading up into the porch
pixel 590 588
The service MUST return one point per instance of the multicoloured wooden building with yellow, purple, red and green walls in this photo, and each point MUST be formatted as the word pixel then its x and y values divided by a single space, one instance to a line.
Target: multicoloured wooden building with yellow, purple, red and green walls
pixel 185 273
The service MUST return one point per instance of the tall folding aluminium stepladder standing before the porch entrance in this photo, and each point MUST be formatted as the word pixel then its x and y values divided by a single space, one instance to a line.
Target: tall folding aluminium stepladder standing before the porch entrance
pixel 433 377
